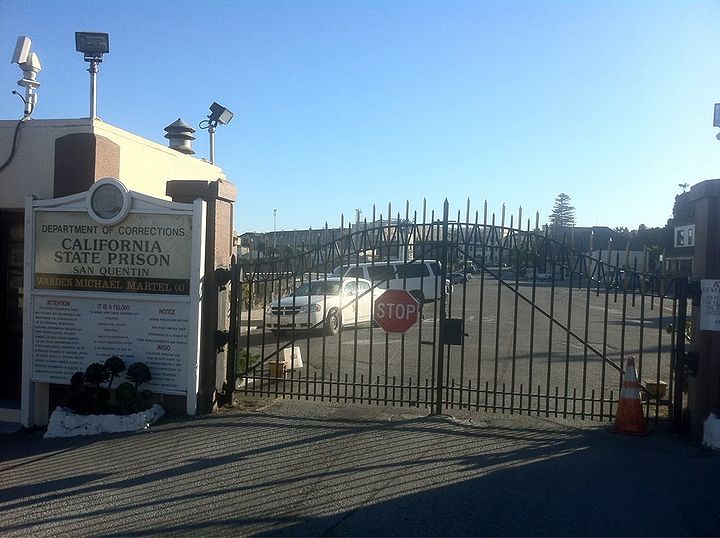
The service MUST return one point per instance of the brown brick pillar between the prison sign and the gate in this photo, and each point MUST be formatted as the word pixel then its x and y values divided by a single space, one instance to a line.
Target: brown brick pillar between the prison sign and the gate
pixel 219 196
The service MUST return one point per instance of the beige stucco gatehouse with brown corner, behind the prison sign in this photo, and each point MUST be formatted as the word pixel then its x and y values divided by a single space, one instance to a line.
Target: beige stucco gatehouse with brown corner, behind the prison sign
pixel 55 158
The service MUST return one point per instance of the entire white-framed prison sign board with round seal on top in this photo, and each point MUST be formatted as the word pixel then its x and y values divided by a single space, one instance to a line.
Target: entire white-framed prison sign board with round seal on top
pixel 112 272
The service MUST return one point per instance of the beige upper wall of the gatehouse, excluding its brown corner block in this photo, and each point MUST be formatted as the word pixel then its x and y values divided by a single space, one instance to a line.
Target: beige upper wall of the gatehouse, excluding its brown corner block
pixel 145 166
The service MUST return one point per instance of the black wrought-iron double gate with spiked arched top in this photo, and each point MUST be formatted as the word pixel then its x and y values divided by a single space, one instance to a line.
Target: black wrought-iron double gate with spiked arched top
pixel 523 321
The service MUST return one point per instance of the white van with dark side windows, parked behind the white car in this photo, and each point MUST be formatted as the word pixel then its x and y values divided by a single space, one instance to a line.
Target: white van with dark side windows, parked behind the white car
pixel 420 278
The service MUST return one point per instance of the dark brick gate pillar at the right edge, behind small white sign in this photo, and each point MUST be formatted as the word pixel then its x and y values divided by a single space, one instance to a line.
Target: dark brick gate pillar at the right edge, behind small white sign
pixel 704 388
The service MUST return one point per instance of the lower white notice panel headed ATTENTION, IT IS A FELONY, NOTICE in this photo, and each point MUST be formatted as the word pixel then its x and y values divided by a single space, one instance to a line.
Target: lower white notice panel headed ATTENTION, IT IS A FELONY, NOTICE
pixel 73 332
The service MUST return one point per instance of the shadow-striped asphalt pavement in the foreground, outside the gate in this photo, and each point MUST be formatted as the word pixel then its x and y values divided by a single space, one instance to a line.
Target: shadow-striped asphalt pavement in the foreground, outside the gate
pixel 299 468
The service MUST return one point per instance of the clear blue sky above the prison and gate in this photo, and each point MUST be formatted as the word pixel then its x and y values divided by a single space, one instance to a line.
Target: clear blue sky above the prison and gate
pixel 340 105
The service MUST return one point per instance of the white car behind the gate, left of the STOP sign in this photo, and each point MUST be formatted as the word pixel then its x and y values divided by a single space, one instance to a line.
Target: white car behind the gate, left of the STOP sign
pixel 327 304
